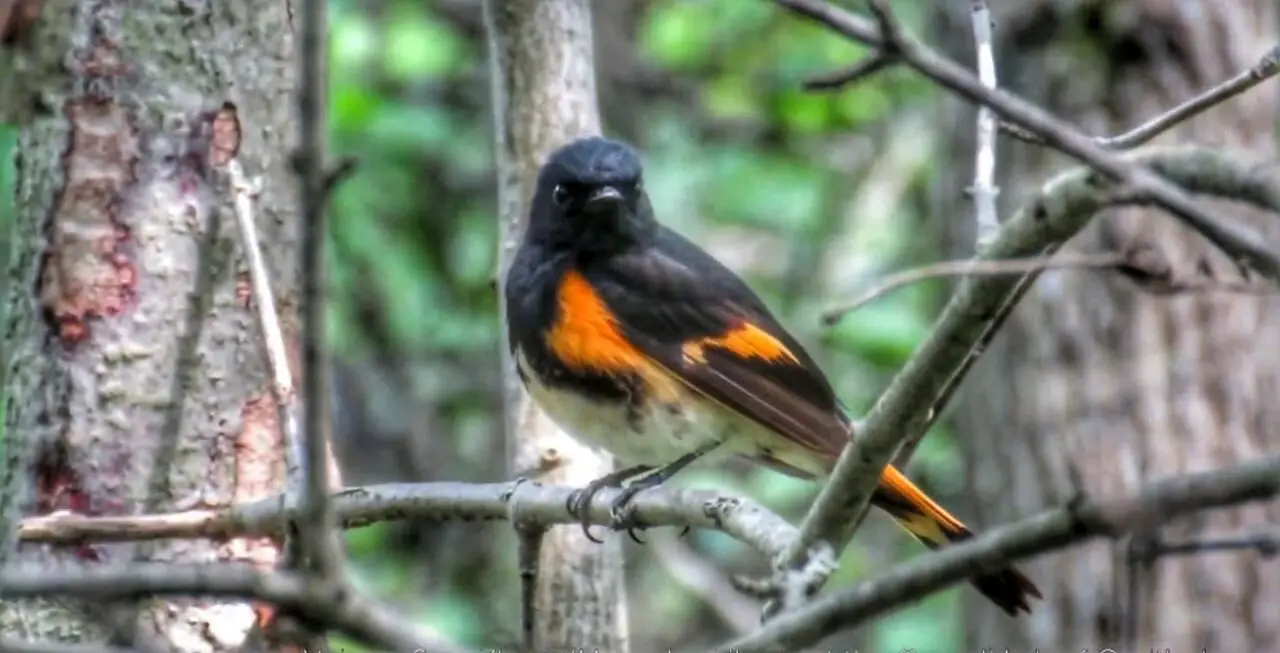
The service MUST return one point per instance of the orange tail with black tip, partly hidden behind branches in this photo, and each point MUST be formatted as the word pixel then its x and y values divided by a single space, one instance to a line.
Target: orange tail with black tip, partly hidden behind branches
pixel 936 528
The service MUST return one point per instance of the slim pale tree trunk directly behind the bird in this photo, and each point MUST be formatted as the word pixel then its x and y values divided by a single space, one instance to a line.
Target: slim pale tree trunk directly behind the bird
pixel 545 95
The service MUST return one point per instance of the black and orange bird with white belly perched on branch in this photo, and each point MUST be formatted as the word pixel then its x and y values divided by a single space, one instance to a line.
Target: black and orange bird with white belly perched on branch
pixel 637 341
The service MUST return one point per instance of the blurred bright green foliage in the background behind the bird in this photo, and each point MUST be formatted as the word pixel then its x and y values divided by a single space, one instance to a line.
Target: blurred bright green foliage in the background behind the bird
pixel 747 159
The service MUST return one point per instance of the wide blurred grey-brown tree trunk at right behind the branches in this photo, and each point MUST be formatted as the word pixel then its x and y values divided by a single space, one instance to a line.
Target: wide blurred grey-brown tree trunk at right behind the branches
pixel 1095 376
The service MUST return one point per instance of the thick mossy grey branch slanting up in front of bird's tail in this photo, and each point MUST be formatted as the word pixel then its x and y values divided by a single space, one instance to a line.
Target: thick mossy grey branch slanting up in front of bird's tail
pixel 1063 207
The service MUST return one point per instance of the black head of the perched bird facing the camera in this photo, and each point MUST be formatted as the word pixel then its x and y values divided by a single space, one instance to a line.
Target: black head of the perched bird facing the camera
pixel 591 199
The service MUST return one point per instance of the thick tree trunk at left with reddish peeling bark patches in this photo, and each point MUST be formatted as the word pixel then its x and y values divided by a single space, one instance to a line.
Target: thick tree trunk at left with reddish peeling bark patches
pixel 138 380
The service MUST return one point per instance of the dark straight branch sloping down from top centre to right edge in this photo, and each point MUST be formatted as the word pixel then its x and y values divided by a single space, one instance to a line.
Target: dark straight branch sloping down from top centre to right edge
pixel 1241 243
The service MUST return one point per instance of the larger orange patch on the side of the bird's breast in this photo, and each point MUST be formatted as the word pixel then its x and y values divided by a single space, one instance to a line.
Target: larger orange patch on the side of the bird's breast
pixel 587 337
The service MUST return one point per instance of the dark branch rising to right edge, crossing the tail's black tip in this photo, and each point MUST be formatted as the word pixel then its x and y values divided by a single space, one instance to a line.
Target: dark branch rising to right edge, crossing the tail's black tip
pixel 1075 523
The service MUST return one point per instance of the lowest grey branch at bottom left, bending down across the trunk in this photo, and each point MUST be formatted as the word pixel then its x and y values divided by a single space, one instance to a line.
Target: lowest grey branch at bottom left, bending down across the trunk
pixel 335 608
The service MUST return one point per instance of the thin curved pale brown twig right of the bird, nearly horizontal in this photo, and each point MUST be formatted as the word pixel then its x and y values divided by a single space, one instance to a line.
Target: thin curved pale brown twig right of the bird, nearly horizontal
pixel 971 268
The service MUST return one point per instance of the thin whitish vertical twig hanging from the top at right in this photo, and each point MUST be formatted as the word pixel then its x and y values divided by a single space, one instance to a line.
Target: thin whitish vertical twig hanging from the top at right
pixel 985 190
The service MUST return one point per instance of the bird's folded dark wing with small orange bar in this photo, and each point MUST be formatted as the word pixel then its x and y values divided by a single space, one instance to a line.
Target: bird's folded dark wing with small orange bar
pixel 703 325
